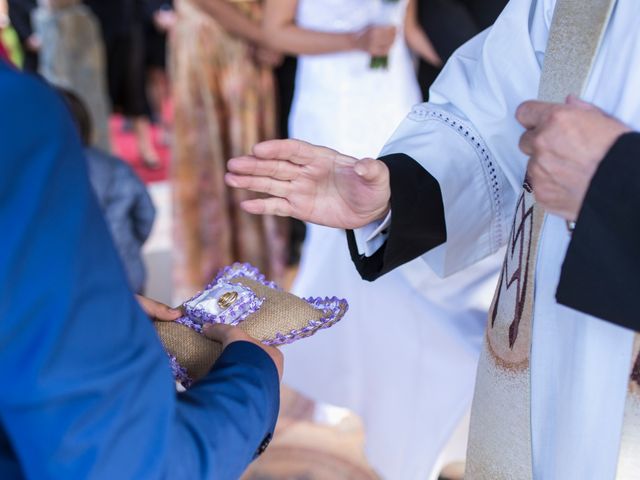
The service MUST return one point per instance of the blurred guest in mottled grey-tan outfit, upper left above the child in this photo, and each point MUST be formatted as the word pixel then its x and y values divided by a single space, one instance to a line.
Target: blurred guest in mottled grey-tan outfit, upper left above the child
pixel 72 57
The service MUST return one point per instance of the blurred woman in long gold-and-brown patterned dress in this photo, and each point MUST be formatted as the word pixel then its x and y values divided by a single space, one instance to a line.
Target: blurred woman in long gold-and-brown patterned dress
pixel 224 102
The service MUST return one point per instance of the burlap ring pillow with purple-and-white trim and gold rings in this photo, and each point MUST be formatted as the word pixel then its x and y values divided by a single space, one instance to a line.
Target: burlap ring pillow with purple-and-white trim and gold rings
pixel 241 296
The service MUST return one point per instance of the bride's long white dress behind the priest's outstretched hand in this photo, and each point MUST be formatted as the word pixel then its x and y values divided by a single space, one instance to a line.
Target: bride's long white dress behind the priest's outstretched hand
pixel 404 358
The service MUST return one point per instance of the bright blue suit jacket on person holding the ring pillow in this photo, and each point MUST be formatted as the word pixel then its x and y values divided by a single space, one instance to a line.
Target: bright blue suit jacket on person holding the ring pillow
pixel 85 387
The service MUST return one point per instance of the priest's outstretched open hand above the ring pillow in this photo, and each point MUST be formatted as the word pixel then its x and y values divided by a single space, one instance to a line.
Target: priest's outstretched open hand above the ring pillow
pixel 314 184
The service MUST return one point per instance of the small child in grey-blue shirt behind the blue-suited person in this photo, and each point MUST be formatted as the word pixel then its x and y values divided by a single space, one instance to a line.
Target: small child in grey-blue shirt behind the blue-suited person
pixel 123 198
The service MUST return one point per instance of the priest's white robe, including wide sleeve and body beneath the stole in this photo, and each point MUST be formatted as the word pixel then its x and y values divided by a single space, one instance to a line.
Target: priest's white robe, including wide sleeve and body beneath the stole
pixel 467 138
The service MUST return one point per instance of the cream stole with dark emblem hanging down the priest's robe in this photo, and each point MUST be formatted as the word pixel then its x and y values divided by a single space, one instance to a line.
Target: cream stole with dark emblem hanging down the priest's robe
pixel 500 432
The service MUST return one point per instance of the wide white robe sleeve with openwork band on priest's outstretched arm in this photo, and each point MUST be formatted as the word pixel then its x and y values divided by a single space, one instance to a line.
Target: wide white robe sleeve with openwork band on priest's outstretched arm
pixel 467 135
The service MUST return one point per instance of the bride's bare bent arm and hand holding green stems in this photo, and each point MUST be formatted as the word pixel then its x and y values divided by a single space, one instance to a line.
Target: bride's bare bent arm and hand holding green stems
pixel 282 33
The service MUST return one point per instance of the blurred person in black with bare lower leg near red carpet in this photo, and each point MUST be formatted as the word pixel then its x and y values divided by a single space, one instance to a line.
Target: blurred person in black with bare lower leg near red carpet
pixel 122 23
